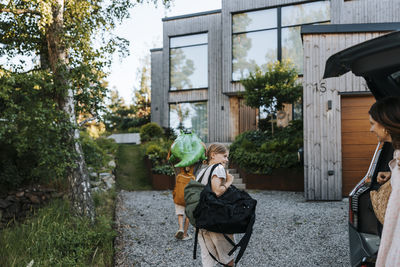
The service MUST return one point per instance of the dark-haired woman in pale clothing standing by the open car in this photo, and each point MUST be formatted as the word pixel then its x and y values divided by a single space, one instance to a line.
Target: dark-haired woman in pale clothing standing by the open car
pixel 385 123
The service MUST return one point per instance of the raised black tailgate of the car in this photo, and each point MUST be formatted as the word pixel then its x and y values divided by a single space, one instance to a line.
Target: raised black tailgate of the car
pixel 377 60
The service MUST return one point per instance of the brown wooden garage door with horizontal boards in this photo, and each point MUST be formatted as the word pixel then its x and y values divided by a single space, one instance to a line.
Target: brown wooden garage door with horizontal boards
pixel 358 144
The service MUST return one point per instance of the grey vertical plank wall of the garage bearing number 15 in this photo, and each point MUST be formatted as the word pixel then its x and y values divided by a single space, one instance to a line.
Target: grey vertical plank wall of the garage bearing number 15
pixel 322 127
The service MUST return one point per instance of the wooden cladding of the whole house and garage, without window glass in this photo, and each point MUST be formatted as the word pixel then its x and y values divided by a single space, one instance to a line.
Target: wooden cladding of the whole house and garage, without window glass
pixel 325 119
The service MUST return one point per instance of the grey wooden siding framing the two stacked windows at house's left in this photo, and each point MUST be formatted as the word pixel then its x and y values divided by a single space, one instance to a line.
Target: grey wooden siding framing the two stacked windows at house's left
pixel 218 103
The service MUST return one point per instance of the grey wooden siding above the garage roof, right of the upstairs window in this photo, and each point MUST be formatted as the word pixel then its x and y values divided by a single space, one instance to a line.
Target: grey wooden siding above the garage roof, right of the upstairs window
pixel 365 11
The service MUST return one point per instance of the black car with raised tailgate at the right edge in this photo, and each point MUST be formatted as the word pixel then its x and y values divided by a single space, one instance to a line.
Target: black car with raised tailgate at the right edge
pixel 378 61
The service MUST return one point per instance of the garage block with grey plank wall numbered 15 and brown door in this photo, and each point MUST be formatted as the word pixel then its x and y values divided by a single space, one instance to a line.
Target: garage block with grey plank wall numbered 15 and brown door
pixel 329 174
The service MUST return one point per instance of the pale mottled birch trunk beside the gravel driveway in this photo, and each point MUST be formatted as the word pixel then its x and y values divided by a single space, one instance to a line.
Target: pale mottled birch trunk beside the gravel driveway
pixel 78 177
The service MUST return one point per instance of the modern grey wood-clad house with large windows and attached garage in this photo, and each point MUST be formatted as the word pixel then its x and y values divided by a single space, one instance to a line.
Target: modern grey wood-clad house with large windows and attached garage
pixel 195 77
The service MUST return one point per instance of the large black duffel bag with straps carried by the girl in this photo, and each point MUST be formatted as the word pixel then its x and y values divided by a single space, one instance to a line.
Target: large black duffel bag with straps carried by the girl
pixel 231 213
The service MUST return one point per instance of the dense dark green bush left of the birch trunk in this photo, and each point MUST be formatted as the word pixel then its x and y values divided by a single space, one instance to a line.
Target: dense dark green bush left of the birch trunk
pixel 33 131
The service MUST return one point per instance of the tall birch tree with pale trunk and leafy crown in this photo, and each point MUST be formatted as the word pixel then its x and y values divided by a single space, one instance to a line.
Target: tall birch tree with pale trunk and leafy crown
pixel 62 33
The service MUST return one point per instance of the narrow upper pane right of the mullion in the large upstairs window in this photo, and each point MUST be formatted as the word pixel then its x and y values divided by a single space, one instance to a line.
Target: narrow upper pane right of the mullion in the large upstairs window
pixel 305 13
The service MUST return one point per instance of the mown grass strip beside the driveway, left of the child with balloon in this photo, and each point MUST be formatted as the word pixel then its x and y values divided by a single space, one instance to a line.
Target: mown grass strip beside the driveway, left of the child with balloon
pixel 132 173
